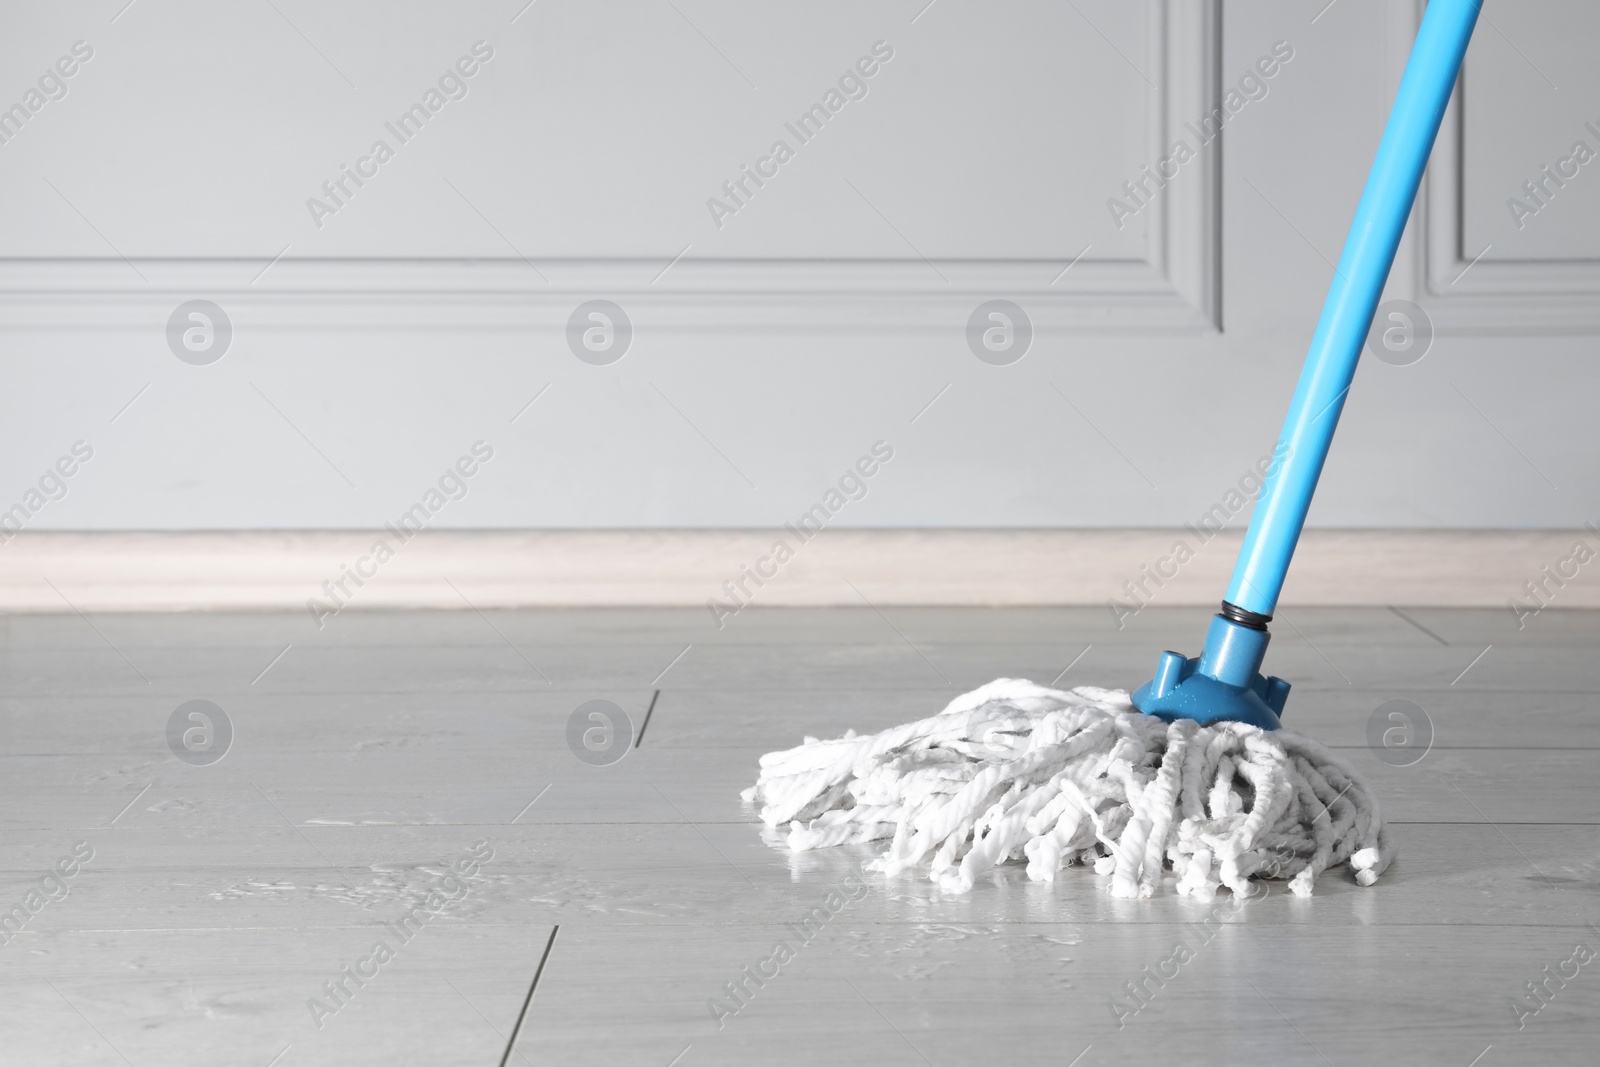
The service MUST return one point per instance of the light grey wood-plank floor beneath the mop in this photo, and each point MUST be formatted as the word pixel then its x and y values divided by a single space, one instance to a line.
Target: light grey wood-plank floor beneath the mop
pixel 372 756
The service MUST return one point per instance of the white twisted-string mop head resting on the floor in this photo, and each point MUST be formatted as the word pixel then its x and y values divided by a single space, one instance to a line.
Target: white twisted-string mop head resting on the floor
pixel 1015 770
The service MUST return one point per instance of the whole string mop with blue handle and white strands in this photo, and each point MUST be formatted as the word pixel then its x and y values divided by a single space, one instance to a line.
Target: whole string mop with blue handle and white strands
pixel 1193 772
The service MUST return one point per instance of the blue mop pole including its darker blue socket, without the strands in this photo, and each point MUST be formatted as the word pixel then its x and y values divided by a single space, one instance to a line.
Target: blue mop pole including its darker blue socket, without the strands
pixel 1238 639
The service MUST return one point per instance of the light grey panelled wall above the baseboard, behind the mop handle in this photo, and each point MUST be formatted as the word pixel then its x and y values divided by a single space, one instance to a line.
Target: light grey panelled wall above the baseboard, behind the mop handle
pixel 825 316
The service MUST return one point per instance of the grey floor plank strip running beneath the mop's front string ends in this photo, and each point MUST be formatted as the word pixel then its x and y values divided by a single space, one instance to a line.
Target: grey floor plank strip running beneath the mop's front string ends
pixel 668 874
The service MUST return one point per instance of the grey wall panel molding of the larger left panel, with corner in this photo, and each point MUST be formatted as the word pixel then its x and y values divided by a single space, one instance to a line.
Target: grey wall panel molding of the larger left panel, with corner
pixel 1177 287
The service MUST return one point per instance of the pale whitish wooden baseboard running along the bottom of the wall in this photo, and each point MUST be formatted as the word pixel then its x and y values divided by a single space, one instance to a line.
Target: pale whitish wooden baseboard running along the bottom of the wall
pixel 284 572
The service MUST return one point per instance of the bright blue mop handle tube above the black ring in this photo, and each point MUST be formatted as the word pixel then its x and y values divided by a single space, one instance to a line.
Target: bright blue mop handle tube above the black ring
pixel 1353 298
